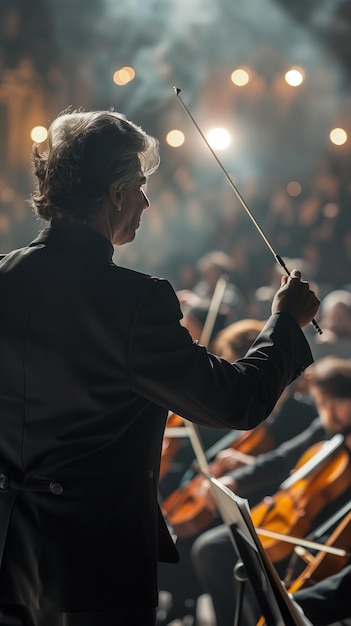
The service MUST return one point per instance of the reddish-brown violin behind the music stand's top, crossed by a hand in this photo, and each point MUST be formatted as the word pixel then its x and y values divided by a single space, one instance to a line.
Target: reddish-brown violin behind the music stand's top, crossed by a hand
pixel 186 509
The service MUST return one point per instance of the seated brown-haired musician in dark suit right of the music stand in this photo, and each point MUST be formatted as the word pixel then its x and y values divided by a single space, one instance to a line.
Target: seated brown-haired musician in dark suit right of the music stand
pixel 213 555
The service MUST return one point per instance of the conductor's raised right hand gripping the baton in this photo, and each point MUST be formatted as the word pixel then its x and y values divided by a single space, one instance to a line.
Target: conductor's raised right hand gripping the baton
pixel 296 298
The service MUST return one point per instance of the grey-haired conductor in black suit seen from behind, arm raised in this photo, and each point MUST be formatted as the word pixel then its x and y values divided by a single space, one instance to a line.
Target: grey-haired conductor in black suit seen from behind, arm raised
pixel 93 358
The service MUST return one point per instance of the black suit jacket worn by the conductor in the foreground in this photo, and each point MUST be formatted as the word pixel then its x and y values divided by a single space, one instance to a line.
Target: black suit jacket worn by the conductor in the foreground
pixel 92 358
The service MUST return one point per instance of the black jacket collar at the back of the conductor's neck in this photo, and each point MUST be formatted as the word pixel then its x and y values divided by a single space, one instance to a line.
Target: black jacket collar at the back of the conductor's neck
pixel 71 235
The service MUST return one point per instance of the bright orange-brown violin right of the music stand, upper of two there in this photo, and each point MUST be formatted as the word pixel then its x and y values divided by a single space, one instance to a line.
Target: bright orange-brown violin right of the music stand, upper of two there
pixel 322 474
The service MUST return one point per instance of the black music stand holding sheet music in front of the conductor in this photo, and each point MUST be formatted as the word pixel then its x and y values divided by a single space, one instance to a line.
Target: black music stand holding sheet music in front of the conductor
pixel 275 604
